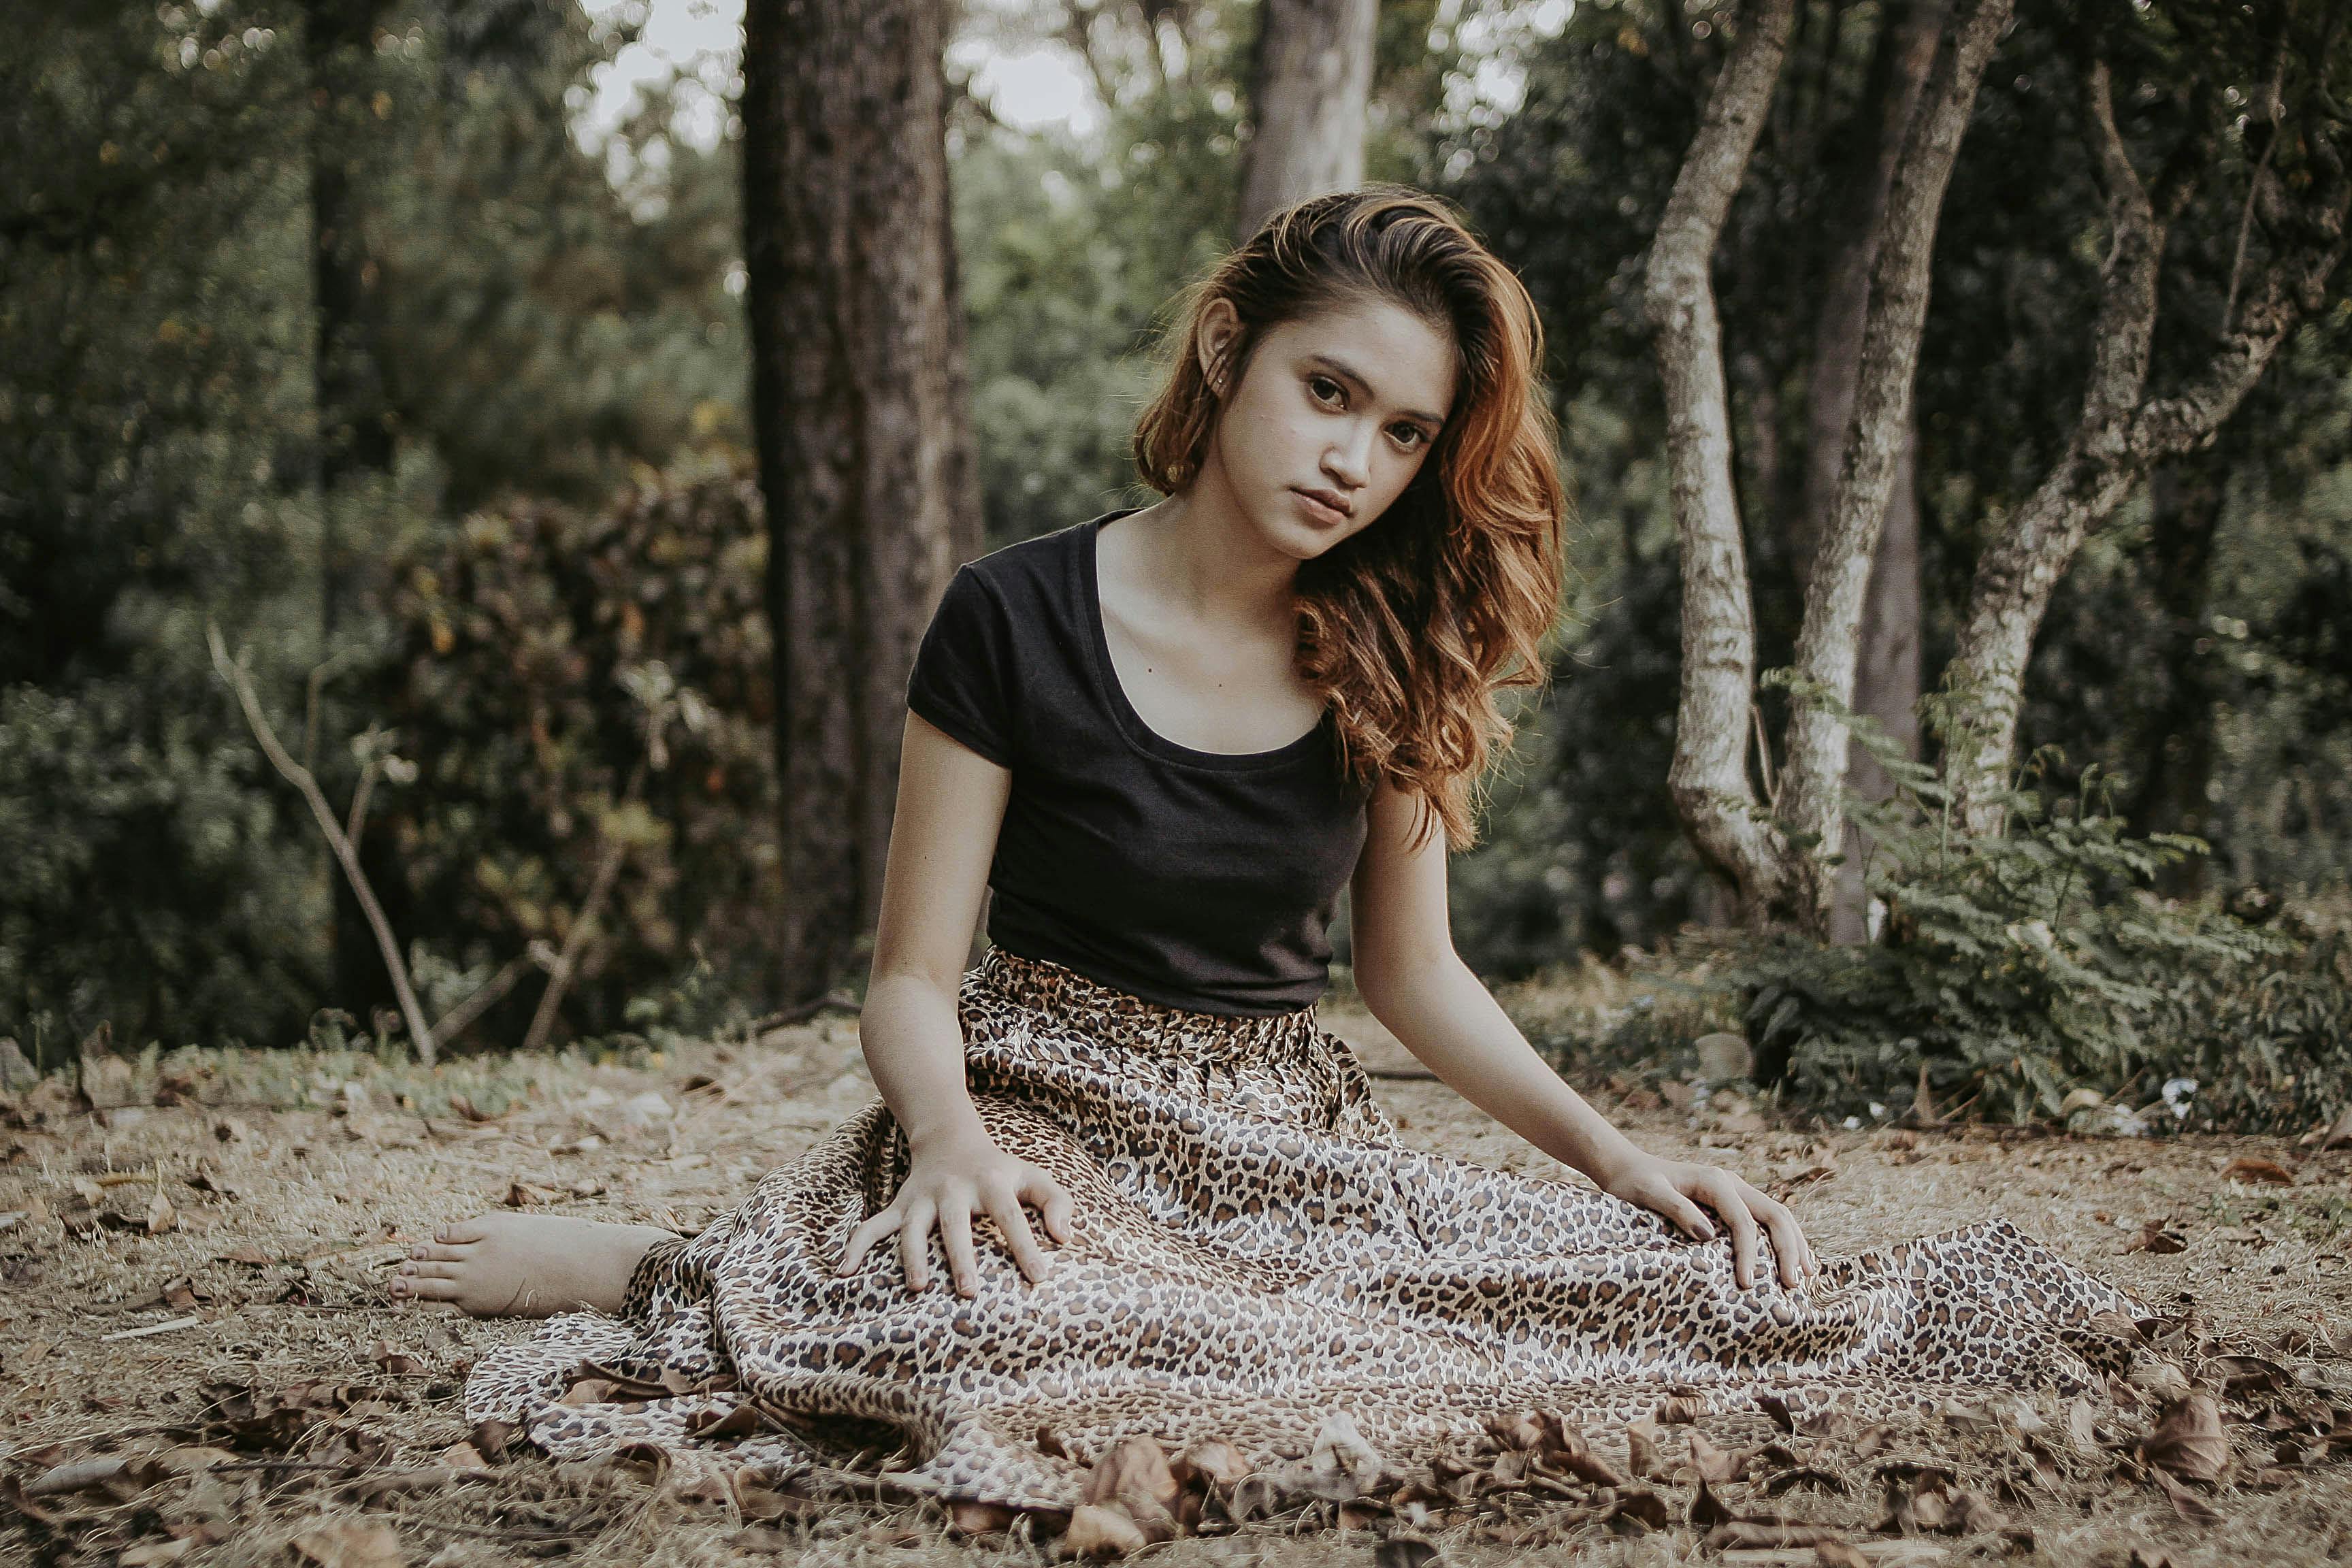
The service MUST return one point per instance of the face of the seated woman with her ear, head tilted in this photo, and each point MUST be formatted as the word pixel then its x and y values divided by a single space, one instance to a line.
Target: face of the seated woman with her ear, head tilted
pixel 1330 420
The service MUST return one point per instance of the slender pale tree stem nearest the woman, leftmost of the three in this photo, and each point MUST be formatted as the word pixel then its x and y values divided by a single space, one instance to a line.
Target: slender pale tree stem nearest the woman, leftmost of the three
pixel 1709 777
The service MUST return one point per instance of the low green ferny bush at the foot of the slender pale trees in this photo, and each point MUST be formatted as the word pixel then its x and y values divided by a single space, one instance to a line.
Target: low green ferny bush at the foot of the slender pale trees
pixel 2014 970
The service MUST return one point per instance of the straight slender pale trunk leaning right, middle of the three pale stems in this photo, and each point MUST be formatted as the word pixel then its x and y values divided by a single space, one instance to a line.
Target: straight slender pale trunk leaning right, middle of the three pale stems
pixel 1871 453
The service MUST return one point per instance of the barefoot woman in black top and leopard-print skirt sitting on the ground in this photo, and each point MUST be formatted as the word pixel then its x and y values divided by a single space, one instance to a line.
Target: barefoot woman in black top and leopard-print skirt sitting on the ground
pixel 1168 739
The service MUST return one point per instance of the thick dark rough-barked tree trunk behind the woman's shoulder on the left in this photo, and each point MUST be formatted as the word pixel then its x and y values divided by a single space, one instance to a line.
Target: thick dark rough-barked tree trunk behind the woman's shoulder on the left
pixel 862 438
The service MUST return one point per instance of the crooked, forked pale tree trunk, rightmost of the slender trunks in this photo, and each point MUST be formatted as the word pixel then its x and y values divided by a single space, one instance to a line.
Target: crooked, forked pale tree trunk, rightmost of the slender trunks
pixel 2120 434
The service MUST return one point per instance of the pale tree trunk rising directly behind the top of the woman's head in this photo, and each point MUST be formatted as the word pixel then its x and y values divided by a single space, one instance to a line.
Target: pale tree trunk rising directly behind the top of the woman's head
pixel 1309 95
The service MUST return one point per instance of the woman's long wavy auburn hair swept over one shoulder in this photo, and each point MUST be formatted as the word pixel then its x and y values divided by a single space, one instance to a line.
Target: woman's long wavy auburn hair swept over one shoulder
pixel 1417 622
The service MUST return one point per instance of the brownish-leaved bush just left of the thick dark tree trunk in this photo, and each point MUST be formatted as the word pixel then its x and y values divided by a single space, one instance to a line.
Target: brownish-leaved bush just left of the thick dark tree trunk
pixel 575 681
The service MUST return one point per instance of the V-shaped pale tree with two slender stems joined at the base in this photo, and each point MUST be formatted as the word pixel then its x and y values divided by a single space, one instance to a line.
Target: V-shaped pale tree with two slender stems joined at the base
pixel 1782 852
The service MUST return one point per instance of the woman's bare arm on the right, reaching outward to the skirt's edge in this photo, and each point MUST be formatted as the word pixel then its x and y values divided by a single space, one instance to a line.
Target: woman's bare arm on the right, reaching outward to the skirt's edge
pixel 1417 986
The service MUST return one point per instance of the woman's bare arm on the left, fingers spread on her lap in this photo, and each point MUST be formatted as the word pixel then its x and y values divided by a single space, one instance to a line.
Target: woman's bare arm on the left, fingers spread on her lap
pixel 951 805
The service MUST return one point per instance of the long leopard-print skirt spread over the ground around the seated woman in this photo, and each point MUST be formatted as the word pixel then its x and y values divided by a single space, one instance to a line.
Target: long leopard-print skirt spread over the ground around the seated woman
pixel 1255 1252
